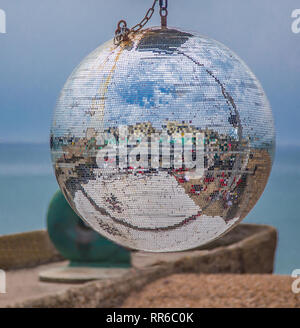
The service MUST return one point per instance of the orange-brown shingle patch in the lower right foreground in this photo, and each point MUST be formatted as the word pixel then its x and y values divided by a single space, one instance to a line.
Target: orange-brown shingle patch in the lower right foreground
pixel 216 291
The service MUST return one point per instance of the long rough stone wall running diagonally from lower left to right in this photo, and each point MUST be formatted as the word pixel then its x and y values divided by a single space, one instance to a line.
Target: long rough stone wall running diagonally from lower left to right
pixel 252 251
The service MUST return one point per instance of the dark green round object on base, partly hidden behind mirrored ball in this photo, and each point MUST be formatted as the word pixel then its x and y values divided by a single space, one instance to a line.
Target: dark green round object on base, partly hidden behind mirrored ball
pixel 79 243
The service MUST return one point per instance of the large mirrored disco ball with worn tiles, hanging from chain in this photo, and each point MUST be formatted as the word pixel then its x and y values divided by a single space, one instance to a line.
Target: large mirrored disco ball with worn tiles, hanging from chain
pixel 164 142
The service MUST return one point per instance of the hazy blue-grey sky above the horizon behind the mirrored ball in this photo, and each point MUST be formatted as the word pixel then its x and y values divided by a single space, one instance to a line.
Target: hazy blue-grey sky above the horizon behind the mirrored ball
pixel 46 39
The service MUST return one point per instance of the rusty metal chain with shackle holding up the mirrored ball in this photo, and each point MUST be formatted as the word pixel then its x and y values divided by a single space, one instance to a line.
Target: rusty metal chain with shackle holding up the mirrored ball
pixel 122 31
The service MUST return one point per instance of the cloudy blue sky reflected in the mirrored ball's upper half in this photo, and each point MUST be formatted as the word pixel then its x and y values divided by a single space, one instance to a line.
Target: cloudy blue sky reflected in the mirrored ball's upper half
pixel 149 86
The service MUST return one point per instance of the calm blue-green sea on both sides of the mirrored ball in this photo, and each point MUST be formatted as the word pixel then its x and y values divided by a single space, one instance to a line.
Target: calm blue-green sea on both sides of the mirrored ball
pixel 27 184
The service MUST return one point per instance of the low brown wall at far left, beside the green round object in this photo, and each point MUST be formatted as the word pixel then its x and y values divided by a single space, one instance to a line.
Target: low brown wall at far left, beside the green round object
pixel 27 249
